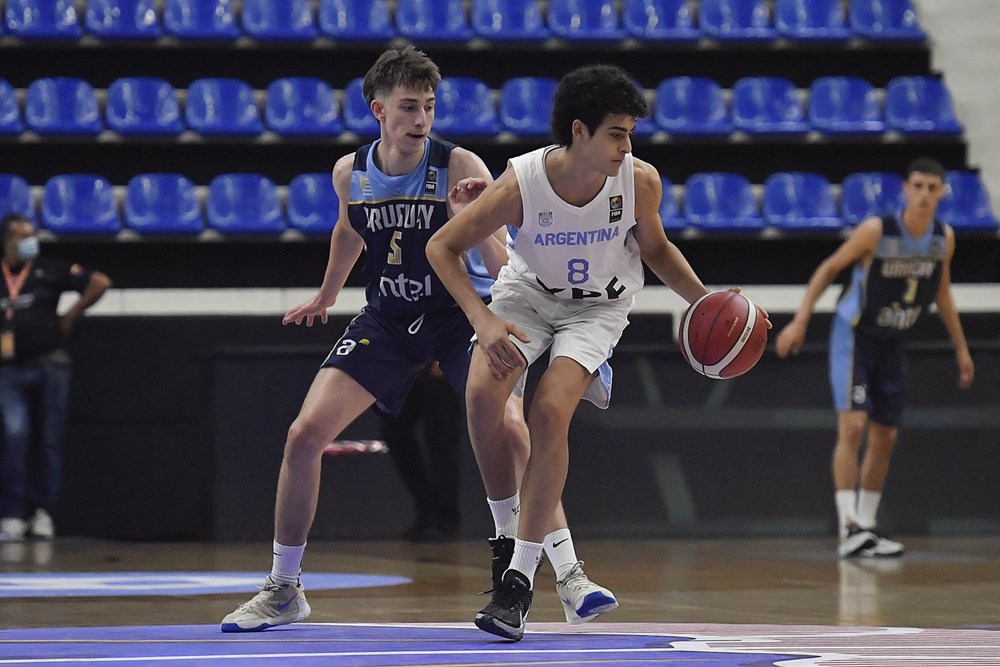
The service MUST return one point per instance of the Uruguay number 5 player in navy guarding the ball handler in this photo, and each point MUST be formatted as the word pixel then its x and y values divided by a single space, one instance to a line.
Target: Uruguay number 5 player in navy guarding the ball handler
pixel 394 194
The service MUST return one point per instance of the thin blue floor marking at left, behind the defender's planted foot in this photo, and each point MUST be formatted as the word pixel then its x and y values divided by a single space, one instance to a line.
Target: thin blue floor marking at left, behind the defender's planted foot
pixel 69 584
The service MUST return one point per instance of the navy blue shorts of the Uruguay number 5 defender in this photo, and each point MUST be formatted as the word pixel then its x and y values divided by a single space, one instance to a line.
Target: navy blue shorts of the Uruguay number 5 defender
pixel 385 355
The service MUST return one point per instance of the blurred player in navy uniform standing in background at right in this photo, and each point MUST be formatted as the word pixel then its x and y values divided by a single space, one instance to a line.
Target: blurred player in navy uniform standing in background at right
pixel 901 265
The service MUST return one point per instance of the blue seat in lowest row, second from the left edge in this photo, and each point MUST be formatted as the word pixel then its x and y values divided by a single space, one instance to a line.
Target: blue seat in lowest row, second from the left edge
pixel 80 204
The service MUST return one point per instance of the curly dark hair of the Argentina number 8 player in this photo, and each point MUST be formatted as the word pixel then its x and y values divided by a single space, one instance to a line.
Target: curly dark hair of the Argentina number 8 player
pixel 592 93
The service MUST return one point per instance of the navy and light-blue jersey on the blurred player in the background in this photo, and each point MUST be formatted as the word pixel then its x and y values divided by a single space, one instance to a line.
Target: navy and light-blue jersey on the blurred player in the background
pixel 889 297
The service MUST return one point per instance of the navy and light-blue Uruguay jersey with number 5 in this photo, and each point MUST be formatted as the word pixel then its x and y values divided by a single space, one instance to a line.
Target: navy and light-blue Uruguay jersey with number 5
pixel 396 216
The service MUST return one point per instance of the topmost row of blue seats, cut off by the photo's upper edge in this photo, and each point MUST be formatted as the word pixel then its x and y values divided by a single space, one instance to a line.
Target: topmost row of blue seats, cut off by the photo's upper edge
pixel 460 20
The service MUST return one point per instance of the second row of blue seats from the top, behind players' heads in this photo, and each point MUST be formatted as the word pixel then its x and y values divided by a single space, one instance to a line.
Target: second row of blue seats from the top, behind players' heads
pixel 468 107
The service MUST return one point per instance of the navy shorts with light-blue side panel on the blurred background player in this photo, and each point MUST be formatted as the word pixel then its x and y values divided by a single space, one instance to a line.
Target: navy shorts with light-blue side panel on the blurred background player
pixel 867 373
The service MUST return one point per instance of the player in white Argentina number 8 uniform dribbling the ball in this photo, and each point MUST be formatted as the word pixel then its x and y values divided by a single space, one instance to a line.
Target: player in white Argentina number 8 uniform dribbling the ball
pixel 586 215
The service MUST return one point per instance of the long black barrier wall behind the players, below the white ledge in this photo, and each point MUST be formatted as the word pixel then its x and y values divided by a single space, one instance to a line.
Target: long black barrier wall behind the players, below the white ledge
pixel 177 427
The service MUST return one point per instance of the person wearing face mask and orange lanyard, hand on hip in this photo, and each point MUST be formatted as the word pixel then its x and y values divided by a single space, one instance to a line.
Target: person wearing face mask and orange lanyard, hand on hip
pixel 34 375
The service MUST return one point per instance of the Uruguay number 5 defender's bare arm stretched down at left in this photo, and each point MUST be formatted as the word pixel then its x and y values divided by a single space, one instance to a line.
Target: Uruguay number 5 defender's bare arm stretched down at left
pixel 345 248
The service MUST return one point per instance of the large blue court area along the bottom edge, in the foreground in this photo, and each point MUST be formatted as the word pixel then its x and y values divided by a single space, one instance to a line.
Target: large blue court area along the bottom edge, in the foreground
pixel 362 646
